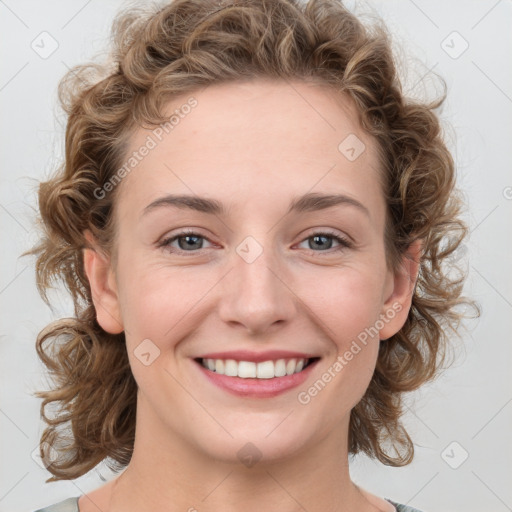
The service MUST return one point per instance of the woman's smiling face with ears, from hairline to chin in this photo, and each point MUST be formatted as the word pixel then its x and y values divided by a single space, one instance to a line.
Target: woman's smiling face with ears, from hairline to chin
pixel 259 272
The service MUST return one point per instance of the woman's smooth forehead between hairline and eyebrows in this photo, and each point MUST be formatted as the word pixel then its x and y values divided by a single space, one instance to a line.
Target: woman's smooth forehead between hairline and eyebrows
pixel 244 141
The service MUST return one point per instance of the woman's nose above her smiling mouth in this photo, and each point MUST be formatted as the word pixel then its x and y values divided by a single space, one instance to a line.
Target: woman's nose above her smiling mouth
pixel 257 294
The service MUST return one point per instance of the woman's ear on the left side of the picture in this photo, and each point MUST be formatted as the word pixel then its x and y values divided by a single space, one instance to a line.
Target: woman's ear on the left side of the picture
pixel 103 287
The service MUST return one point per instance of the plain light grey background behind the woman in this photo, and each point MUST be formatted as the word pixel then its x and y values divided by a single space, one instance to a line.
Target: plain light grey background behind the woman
pixel 470 405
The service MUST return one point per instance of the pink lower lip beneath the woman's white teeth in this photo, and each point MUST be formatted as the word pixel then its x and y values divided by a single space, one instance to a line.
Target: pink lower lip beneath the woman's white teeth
pixel 258 388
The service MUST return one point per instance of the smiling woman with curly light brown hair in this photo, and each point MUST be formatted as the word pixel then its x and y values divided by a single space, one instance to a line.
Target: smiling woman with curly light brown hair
pixel 220 354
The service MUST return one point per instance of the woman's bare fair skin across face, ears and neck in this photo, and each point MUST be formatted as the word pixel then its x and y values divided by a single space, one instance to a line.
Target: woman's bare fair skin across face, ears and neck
pixel 254 146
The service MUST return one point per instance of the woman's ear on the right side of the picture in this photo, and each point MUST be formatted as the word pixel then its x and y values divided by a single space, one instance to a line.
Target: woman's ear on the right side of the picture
pixel 399 290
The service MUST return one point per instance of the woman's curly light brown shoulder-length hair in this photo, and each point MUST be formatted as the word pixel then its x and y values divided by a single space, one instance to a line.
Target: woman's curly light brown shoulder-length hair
pixel 179 48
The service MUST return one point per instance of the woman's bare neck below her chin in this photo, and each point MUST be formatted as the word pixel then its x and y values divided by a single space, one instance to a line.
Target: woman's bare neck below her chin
pixel 166 473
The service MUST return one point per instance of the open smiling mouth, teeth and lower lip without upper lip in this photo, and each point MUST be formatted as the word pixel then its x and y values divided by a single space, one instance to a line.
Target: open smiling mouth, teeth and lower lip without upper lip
pixel 250 379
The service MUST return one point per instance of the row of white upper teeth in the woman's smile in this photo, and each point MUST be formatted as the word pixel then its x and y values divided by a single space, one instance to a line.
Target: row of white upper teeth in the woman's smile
pixel 249 369
